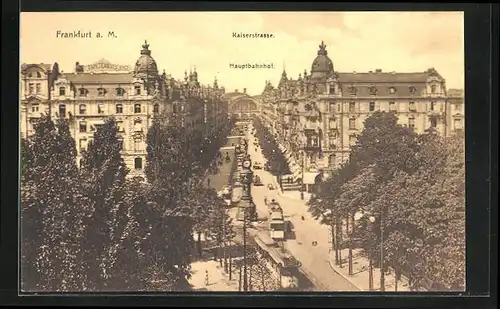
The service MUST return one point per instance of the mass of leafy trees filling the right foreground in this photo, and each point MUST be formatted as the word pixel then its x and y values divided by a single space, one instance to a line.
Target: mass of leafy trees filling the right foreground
pixel 401 199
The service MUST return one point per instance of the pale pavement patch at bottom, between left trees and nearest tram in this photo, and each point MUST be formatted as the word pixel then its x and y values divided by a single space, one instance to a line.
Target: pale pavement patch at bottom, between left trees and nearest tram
pixel 217 280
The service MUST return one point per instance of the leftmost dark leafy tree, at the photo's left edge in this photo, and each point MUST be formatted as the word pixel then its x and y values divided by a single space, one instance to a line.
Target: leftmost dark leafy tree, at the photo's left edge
pixel 52 211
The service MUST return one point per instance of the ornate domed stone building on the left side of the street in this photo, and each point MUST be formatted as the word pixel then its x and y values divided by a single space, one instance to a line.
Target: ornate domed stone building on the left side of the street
pixel 134 98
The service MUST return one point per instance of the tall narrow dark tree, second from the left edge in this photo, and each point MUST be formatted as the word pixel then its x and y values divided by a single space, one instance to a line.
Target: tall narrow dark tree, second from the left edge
pixel 104 171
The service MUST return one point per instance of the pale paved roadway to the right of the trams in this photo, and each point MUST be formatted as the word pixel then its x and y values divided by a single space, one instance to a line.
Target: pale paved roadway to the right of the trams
pixel 314 259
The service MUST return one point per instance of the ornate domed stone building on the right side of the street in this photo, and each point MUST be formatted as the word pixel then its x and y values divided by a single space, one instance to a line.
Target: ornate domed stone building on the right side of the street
pixel 320 114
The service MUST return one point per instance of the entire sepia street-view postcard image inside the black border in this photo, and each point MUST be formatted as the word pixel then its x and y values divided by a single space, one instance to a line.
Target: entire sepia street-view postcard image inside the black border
pixel 242 152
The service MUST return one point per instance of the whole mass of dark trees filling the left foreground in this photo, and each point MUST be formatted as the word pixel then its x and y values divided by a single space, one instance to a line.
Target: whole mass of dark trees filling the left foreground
pixel 94 229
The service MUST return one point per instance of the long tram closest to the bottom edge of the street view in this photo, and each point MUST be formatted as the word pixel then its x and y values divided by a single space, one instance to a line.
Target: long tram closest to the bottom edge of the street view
pixel 282 263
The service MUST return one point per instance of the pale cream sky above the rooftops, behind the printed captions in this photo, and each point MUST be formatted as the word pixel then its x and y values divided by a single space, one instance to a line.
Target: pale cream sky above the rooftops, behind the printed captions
pixel 179 41
